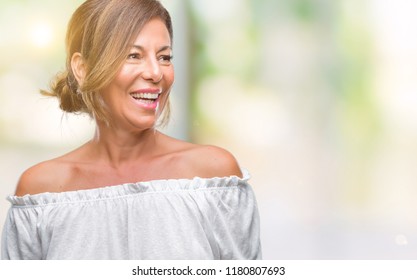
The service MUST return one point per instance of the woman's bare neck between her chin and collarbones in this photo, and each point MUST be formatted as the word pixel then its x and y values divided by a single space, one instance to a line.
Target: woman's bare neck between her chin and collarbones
pixel 118 147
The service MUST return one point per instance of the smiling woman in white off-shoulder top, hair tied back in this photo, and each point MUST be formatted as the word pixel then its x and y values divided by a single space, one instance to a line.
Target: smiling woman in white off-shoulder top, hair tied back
pixel 131 192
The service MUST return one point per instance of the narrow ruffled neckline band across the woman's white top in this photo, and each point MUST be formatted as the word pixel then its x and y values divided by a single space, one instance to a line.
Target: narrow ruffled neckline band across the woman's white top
pixel 129 189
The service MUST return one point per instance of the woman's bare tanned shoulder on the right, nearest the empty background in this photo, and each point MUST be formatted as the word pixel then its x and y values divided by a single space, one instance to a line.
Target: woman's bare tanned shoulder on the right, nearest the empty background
pixel 211 161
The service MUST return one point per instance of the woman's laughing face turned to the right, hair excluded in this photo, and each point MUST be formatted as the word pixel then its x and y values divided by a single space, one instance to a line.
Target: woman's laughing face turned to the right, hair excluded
pixel 138 93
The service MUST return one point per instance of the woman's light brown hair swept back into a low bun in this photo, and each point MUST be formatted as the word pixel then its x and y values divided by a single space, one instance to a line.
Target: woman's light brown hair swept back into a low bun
pixel 102 31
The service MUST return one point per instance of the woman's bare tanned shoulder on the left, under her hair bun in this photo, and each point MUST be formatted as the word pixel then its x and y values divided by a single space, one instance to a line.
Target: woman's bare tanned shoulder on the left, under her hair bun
pixel 42 177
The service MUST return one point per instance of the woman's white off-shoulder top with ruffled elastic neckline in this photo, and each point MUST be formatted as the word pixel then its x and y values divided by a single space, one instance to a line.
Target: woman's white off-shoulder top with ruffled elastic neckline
pixel 198 218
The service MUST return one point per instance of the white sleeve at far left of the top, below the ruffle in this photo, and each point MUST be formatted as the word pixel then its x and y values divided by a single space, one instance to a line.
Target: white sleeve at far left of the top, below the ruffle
pixel 20 240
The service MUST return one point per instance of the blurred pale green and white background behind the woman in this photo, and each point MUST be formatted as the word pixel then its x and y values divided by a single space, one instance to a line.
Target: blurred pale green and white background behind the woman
pixel 316 98
